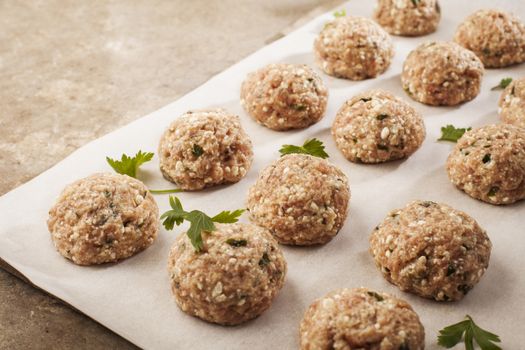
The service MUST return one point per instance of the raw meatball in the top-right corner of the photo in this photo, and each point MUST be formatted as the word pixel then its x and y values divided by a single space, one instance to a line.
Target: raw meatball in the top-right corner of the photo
pixel 497 37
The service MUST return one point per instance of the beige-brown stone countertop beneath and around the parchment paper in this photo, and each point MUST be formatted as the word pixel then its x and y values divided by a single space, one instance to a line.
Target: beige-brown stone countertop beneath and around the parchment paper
pixel 73 71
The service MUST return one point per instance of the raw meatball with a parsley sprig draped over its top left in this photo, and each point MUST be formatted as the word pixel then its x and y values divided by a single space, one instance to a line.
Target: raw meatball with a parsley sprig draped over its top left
pixel 233 279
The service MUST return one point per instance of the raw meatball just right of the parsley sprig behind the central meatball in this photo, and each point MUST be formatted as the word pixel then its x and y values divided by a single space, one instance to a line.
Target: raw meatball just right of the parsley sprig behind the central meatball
pixel 375 127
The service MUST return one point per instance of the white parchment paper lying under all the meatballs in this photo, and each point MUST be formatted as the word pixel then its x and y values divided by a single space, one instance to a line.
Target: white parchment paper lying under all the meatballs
pixel 133 297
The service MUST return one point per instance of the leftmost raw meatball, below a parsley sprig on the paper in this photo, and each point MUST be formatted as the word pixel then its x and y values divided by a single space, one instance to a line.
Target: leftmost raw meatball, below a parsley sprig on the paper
pixel 103 218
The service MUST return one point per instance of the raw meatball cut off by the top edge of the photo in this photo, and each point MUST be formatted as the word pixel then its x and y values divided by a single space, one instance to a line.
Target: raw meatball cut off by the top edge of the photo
pixel 408 17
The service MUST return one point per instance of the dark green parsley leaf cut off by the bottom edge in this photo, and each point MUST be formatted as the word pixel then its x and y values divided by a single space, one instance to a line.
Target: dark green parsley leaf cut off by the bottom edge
pixel 452 335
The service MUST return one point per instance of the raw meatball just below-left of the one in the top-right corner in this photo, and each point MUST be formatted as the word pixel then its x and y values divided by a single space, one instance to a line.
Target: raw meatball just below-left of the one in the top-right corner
pixel 442 74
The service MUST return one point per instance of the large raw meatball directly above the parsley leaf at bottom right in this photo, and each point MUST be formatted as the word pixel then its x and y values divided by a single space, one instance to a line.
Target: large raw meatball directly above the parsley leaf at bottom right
pixel 431 250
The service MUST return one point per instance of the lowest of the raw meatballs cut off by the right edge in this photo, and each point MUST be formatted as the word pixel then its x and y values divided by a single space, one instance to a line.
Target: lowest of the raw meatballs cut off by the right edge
pixel 488 163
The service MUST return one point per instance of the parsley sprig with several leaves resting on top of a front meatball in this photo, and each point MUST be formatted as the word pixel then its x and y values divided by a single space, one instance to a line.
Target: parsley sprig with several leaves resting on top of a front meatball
pixel 199 221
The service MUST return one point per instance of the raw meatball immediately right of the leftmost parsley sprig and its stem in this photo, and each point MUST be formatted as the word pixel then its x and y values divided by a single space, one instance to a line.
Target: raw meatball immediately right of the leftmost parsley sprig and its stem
pixel 205 148
